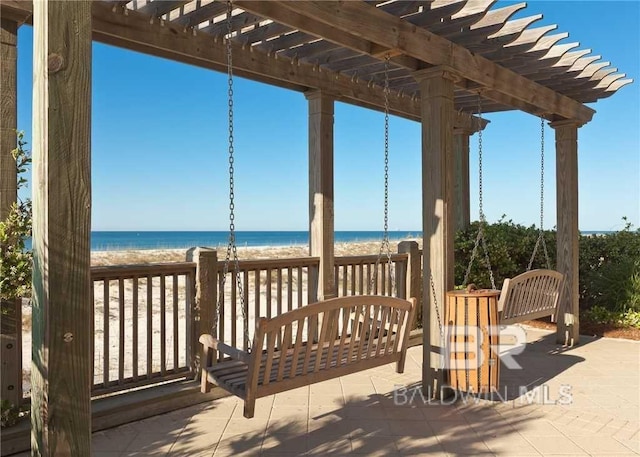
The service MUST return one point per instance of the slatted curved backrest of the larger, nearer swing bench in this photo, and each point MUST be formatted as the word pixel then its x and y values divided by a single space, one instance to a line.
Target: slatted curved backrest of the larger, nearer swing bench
pixel 329 339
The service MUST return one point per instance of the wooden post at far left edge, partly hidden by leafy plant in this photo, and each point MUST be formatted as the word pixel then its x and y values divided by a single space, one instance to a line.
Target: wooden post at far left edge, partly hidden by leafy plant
pixel 11 331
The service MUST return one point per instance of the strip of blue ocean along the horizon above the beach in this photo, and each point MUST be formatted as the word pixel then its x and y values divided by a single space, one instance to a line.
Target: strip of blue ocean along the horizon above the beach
pixel 109 241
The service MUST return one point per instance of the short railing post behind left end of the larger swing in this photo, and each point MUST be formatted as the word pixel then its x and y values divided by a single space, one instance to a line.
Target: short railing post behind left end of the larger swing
pixel 206 297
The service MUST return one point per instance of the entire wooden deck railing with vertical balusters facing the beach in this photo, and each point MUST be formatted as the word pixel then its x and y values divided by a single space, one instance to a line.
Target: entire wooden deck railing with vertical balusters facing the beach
pixel 147 318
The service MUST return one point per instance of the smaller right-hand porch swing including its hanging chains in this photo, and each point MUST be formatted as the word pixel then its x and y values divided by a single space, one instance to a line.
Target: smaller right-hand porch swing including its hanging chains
pixel 534 293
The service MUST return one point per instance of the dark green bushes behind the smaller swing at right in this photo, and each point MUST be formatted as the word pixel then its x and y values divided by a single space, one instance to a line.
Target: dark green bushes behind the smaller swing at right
pixel 609 263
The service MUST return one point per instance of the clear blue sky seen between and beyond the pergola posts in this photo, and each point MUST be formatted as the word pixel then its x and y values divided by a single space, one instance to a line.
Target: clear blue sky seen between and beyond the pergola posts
pixel 159 148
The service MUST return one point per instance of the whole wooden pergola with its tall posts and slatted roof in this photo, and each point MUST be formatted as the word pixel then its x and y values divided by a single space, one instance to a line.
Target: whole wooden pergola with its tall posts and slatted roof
pixel 444 54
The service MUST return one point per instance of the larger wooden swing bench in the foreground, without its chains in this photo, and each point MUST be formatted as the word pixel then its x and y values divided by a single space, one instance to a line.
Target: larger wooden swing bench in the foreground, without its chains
pixel 320 341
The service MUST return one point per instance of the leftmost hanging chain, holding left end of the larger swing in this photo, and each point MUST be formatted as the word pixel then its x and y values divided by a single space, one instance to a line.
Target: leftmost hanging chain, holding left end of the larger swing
pixel 232 252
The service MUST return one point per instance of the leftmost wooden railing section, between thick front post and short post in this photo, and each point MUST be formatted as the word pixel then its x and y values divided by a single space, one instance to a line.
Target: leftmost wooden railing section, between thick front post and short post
pixel 142 316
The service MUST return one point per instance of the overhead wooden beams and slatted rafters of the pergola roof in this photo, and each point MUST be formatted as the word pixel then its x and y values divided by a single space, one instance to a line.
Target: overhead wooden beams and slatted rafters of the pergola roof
pixel 341 46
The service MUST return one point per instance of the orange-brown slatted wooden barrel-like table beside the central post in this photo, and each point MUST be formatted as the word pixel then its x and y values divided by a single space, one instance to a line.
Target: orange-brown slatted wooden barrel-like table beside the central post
pixel 472 339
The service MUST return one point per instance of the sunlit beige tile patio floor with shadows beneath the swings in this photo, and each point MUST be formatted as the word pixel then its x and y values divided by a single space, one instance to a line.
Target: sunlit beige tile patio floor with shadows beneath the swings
pixel 356 414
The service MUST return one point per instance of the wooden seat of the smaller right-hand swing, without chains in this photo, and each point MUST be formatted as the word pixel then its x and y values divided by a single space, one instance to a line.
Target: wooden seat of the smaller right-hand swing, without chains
pixel 530 295
